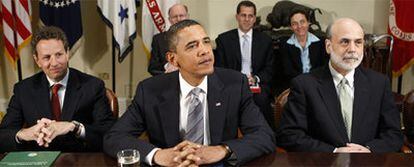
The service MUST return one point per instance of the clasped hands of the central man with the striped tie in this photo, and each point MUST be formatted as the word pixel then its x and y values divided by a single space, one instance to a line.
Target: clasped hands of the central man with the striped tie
pixel 188 153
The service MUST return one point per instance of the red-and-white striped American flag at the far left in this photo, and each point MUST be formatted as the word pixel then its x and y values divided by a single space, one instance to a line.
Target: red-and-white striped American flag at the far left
pixel 17 28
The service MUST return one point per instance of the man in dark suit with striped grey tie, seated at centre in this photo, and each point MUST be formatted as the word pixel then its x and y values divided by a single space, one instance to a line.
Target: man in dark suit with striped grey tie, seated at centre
pixel 162 107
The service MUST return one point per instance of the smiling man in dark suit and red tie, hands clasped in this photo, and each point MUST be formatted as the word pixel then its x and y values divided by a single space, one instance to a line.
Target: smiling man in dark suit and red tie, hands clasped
pixel 59 108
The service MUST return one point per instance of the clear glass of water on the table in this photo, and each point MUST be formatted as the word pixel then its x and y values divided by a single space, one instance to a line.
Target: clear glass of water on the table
pixel 128 158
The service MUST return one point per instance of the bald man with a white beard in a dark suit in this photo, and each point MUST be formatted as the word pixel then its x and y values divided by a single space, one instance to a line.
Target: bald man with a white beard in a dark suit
pixel 341 107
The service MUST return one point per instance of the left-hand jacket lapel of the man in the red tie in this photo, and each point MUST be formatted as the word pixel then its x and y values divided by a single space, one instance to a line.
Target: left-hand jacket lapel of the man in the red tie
pixel 42 97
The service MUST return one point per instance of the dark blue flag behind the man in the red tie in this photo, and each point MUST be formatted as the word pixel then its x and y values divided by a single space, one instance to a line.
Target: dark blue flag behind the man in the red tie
pixel 65 14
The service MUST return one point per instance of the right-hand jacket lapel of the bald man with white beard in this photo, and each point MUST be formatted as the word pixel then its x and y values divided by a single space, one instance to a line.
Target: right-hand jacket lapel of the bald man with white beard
pixel 361 100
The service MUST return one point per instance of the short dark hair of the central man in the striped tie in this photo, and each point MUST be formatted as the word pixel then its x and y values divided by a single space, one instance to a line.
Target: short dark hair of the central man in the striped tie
pixel 172 39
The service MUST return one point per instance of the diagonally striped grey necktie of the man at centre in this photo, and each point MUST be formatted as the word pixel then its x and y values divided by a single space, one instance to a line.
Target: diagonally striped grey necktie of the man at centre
pixel 195 123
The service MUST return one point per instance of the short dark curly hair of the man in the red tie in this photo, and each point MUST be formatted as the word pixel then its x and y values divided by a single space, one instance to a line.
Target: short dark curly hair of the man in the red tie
pixel 49 32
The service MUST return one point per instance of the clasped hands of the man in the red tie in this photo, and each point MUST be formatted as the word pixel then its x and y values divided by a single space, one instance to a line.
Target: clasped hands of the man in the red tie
pixel 45 131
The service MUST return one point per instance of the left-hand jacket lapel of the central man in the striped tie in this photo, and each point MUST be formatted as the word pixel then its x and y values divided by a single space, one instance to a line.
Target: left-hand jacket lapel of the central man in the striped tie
pixel 169 111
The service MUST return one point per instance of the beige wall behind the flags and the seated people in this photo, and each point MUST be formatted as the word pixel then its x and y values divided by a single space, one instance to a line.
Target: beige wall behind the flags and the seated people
pixel 94 57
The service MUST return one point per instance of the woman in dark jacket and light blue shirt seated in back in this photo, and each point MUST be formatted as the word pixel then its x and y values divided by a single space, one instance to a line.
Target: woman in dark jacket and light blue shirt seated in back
pixel 301 53
